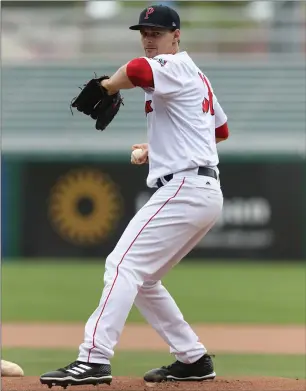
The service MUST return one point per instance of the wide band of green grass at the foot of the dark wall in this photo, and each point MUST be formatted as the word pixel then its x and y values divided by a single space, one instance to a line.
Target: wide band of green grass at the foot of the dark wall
pixel 268 293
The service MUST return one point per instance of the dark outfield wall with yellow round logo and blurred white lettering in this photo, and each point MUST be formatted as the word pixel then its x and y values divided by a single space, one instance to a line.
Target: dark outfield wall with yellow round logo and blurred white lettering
pixel 78 206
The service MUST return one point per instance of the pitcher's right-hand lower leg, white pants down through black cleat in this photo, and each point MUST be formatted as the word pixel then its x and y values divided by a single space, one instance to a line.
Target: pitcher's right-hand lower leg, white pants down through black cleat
pixel 160 310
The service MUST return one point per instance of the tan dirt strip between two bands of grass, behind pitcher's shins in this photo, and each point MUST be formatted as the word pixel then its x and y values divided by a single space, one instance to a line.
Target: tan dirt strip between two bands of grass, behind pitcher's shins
pixel 217 338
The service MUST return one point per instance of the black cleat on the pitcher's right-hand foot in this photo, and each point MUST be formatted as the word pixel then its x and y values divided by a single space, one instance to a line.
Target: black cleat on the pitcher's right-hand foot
pixel 203 369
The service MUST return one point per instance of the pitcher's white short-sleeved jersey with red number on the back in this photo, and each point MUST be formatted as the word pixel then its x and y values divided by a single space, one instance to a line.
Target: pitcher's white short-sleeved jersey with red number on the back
pixel 182 114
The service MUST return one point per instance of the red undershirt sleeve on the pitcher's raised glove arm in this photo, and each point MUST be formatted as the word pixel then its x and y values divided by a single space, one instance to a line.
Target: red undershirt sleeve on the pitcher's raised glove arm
pixel 140 73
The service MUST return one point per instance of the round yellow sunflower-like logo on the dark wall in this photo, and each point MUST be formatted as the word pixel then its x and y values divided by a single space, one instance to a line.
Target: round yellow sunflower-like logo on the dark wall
pixel 85 206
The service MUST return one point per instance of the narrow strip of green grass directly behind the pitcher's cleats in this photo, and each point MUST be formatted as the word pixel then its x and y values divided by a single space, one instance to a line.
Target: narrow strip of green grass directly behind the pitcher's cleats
pixel 35 362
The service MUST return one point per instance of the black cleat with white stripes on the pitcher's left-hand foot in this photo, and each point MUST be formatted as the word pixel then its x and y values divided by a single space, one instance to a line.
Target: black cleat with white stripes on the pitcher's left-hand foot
pixel 78 373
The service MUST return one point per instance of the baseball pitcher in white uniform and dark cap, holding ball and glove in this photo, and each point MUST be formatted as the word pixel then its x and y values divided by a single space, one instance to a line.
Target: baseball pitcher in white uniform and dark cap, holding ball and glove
pixel 184 123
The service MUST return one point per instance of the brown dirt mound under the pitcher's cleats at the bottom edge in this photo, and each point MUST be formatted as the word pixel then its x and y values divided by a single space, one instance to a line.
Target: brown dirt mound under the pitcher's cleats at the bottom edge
pixel 136 384
